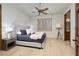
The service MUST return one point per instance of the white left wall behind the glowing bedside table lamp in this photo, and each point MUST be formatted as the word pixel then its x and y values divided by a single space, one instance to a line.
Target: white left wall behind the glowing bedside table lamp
pixel 11 16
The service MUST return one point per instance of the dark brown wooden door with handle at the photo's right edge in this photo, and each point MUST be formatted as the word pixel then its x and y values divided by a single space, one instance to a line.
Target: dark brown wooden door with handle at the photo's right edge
pixel 77 31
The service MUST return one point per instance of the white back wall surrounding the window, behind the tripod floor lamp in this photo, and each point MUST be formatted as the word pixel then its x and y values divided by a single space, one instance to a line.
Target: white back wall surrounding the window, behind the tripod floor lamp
pixel 56 18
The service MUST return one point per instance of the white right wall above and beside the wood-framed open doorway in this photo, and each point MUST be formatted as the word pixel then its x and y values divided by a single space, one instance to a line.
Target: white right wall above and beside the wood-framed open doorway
pixel 72 8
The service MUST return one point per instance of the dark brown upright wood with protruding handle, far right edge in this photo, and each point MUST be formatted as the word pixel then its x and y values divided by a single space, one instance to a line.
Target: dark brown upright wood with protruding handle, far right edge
pixel 76 31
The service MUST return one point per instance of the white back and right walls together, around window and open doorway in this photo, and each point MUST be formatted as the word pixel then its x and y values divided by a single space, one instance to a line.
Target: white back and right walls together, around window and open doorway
pixel 59 18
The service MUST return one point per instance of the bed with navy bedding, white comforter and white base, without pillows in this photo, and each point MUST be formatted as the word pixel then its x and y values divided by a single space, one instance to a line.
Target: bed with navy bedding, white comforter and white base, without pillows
pixel 31 41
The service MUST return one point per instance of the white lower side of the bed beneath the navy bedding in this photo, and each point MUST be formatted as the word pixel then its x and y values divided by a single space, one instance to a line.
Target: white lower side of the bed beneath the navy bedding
pixel 31 44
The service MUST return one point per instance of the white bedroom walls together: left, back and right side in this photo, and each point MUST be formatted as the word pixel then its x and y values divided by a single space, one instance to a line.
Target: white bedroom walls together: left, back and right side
pixel 12 16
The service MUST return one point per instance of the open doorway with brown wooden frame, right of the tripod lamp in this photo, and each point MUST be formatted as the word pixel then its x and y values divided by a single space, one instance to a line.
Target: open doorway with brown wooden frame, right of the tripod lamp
pixel 67 22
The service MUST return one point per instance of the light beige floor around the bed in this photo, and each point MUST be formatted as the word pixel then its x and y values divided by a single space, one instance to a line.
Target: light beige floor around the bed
pixel 52 47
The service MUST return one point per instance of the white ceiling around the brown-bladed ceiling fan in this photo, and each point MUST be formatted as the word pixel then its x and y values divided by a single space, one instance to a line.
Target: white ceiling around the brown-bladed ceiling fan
pixel 53 7
